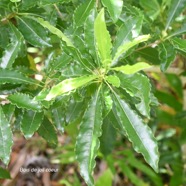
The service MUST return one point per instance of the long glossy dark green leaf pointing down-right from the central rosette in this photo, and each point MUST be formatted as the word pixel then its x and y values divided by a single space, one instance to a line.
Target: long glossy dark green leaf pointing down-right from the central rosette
pixel 137 132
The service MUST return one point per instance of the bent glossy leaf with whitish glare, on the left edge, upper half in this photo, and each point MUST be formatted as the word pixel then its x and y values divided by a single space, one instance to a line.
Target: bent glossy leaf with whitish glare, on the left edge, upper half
pixel 12 50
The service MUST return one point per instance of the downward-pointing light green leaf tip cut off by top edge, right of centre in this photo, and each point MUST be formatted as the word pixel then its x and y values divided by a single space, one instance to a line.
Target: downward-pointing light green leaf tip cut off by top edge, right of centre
pixel 114 8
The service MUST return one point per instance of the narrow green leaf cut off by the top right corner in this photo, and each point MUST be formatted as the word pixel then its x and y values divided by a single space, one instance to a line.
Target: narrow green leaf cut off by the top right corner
pixel 175 9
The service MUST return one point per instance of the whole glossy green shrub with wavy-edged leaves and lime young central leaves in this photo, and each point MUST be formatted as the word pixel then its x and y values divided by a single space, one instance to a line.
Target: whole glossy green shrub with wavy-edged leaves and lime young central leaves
pixel 90 69
